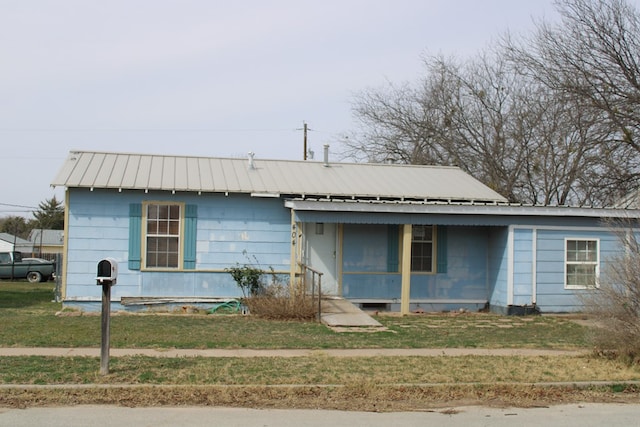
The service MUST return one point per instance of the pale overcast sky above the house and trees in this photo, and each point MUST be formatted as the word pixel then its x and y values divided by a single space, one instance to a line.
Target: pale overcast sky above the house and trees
pixel 210 77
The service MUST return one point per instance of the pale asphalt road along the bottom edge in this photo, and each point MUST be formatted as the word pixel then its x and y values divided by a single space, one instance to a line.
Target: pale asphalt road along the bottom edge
pixel 585 415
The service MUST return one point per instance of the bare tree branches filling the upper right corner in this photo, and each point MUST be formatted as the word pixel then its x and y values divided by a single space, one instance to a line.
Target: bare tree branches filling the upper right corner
pixel 592 57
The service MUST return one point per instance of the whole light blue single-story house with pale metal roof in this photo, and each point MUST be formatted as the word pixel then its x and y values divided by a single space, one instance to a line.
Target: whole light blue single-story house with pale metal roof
pixel 395 237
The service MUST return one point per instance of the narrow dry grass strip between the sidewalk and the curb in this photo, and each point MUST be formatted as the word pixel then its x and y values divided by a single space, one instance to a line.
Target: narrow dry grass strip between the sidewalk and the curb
pixel 319 370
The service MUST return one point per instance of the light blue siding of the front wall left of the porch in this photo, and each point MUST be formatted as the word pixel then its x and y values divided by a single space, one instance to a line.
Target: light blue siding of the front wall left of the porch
pixel 230 230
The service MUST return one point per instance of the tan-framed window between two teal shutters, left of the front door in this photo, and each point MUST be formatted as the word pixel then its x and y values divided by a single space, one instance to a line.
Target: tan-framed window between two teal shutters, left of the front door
pixel 163 235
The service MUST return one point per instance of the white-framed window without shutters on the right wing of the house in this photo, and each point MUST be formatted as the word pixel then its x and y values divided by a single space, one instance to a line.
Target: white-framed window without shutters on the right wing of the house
pixel 582 263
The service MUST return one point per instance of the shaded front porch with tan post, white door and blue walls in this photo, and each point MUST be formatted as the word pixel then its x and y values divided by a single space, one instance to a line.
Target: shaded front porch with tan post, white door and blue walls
pixel 374 265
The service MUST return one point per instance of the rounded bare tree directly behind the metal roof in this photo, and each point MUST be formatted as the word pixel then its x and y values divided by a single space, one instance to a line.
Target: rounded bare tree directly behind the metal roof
pixel 496 123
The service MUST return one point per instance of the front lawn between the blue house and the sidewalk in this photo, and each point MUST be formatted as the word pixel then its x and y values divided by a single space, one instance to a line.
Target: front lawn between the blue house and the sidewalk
pixel 29 318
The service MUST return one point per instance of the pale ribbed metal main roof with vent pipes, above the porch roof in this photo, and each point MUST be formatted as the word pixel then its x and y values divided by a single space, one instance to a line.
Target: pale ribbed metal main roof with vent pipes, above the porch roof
pixel 125 171
